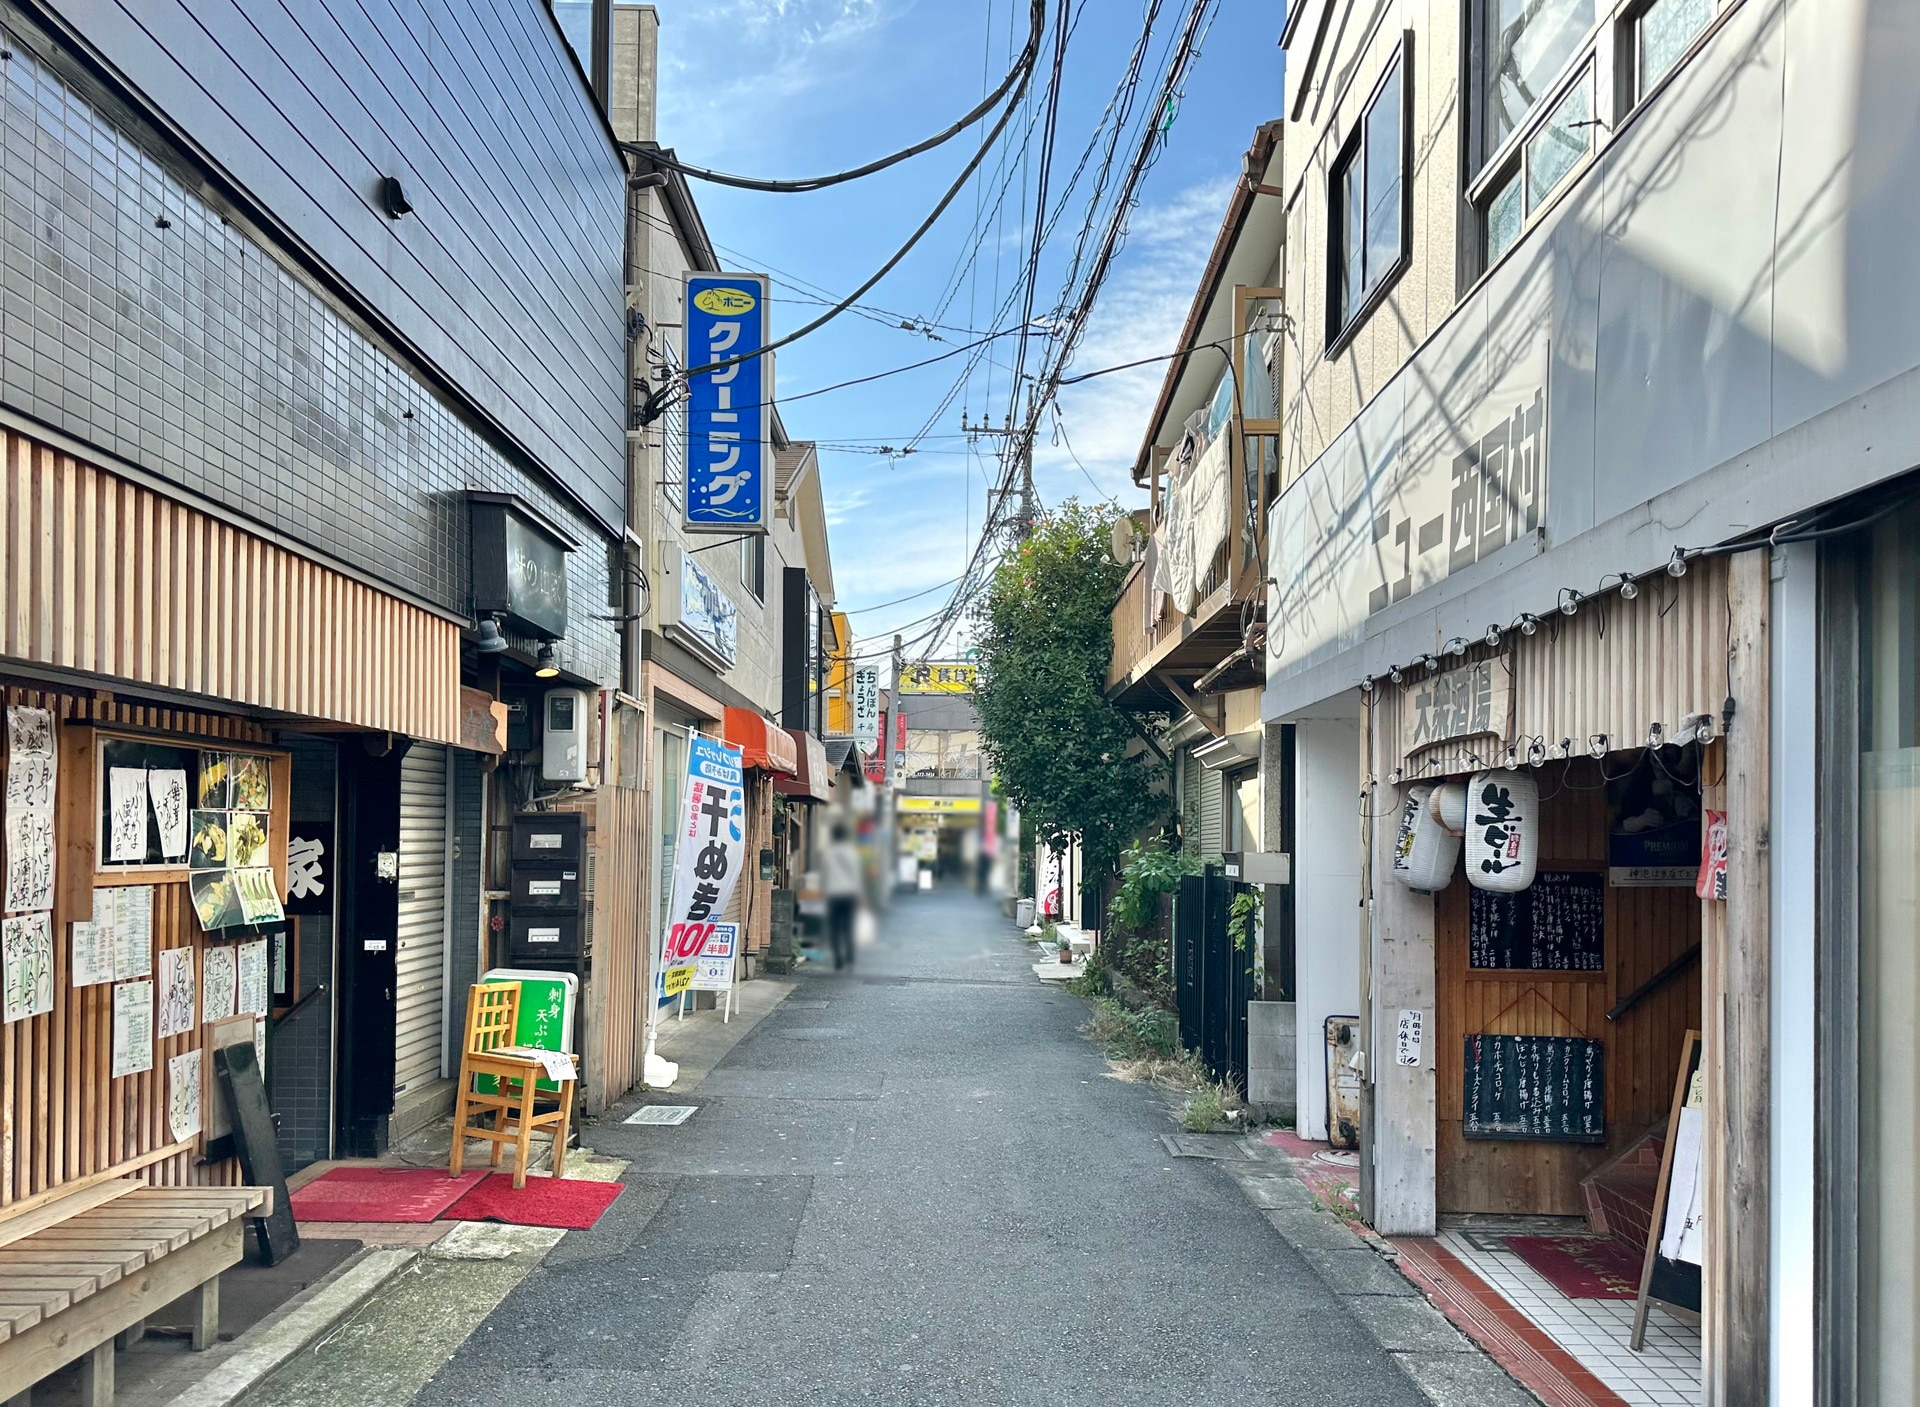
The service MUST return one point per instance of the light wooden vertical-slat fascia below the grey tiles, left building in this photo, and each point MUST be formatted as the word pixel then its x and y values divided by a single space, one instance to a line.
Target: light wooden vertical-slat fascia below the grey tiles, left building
pixel 110 579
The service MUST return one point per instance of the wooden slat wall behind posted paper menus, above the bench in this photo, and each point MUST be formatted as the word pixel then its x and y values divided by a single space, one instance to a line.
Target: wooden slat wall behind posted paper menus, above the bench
pixel 62 1118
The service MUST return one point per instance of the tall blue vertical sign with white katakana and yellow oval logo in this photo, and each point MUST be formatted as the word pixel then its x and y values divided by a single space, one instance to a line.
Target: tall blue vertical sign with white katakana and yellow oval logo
pixel 731 410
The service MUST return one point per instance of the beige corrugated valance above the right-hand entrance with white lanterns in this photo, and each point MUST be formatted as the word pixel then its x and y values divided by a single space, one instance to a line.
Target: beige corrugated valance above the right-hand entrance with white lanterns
pixel 1616 669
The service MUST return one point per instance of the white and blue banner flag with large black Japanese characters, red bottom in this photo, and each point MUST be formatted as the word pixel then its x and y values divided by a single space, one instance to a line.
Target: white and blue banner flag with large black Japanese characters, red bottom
pixel 709 853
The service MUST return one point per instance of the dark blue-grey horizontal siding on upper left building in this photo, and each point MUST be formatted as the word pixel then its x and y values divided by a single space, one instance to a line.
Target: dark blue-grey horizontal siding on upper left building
pixel 508 275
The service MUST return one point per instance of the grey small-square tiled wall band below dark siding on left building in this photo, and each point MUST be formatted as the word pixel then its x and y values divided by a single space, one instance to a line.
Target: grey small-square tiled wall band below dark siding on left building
pixel 191 352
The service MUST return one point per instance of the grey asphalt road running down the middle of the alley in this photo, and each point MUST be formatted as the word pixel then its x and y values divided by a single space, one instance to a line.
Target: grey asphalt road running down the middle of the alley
pixel 917 1185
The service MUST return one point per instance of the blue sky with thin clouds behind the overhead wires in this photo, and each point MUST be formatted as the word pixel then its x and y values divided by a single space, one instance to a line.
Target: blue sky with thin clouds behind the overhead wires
pixel 805 87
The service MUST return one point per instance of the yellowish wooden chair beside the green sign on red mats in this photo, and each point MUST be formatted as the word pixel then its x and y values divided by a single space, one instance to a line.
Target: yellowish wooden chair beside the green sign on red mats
pixel 489 1053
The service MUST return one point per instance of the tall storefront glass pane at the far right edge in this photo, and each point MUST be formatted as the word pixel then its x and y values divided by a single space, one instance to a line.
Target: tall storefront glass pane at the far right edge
pixel 1890 968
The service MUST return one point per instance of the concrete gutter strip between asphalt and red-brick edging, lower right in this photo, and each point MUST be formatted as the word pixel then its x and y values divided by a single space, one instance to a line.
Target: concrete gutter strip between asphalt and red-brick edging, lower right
pixel 1364 1272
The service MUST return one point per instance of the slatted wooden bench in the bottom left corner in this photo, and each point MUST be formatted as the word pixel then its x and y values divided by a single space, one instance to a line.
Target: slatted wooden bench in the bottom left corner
pixel 89 1268
